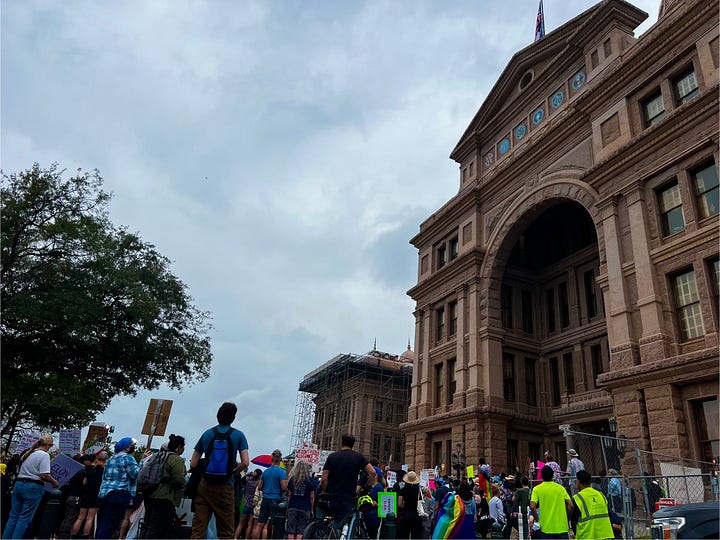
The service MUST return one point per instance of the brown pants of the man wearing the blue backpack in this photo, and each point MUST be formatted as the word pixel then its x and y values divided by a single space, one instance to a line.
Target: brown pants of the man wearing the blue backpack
pixel 218 499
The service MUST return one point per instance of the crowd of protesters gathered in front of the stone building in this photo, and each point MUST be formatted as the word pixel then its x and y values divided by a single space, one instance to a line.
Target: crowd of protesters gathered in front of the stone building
pixel 228 501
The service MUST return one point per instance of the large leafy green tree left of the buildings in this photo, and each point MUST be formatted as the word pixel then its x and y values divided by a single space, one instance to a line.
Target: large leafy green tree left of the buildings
pixel 89 310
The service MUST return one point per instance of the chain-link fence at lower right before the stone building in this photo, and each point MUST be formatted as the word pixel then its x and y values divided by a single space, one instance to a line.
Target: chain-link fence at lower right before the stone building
pixel 635 481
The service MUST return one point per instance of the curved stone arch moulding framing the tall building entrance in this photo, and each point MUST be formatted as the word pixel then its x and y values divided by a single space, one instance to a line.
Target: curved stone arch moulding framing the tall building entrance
pixel 550 191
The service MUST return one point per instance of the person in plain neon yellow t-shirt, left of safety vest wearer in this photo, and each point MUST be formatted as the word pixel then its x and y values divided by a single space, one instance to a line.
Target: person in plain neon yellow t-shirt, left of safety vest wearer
pixel 555 506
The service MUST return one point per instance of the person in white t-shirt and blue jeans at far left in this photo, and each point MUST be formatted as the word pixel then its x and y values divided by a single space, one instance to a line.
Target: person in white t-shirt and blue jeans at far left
pixel 30 487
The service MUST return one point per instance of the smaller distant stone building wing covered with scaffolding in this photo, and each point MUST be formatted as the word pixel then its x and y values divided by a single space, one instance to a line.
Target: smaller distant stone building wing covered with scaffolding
pixel 366 395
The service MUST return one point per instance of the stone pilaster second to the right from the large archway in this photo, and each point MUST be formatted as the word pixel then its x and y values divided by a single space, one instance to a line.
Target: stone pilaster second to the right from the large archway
pixel 654 343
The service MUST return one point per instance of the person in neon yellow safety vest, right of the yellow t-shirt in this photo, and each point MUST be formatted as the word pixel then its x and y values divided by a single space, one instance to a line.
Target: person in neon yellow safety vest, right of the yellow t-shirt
pixel 590 518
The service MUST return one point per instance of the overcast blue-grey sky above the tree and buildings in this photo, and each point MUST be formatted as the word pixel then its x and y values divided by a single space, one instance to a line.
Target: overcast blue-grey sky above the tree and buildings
pixel 280 153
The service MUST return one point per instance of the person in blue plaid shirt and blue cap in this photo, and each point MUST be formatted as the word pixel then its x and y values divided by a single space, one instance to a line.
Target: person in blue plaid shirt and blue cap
pixel 118 487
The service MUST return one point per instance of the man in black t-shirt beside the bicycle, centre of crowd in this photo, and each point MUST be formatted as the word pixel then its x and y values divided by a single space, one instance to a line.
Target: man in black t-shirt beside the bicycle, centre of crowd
pixel 340 474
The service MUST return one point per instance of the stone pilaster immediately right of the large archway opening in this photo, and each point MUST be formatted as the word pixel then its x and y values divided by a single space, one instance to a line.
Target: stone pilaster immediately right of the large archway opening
pixel 616 309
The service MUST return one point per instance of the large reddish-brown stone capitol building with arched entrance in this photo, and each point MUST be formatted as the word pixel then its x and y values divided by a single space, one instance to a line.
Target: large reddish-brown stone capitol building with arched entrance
pixel 573 278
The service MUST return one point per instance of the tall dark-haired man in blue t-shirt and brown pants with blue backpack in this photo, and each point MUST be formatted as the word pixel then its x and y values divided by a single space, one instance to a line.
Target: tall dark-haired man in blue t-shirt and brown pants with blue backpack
pixel 212 498
